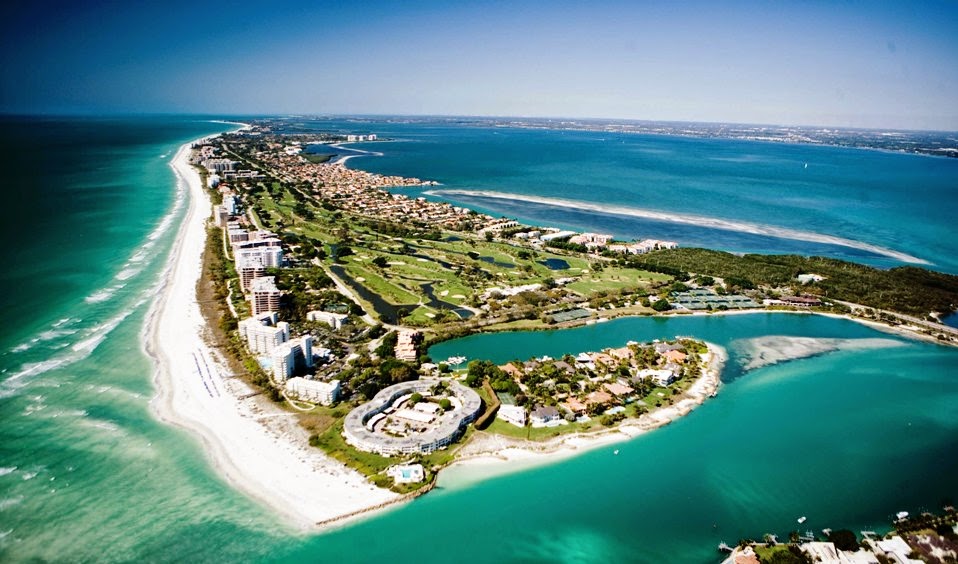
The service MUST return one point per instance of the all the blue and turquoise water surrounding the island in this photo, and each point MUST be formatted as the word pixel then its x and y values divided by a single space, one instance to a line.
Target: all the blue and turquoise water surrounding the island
pixel 846 437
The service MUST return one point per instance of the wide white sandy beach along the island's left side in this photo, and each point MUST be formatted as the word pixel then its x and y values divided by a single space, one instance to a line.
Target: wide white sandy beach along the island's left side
pixel 255 445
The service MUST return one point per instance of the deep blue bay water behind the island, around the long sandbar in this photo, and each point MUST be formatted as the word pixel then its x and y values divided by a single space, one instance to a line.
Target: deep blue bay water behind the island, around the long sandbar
pixel 897 202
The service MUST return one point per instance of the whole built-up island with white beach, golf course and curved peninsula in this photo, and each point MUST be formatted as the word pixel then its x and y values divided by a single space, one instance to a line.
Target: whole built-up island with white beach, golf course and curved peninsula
pixel 318 291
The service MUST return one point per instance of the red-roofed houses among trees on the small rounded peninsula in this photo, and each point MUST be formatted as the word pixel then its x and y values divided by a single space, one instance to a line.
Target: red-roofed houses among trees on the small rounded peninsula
pixel 595 382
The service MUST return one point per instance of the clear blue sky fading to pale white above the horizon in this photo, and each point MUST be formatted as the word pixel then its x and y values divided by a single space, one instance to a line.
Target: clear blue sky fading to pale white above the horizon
pixel 870 64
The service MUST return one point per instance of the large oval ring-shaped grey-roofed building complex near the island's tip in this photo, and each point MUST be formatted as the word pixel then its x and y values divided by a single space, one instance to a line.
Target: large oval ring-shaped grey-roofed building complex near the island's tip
pixel 389 425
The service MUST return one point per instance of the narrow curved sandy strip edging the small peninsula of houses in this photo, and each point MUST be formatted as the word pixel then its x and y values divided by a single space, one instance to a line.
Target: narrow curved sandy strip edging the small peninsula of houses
pixel 505 455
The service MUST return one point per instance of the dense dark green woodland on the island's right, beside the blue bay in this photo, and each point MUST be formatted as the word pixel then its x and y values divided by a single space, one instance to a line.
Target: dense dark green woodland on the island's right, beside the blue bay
pixel 906 289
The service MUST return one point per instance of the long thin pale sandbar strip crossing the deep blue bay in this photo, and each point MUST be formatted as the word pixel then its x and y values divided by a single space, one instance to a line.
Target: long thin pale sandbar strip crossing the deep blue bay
pixel 690 219
